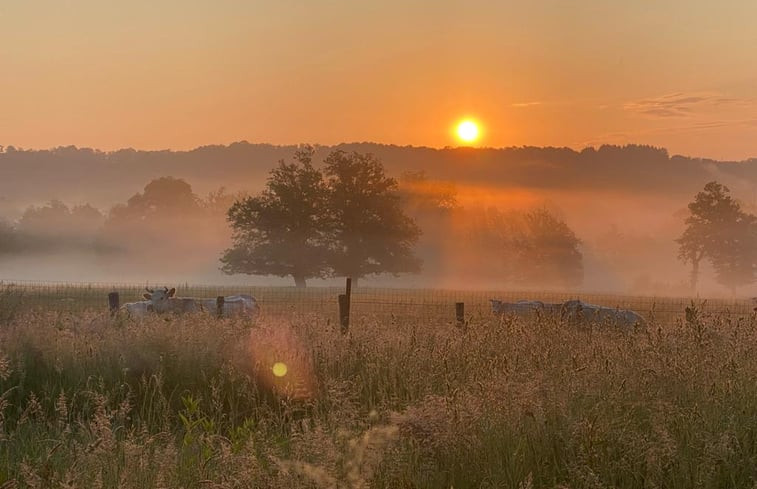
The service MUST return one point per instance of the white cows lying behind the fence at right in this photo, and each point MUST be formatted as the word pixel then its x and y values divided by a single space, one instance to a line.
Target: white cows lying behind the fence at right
pixel 572 311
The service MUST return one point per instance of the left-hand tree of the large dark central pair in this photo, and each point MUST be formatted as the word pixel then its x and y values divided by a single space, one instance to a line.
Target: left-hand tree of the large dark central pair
pixel 283 231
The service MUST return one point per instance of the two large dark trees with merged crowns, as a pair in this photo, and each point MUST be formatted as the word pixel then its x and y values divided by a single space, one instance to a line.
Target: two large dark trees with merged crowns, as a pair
pixel 345 221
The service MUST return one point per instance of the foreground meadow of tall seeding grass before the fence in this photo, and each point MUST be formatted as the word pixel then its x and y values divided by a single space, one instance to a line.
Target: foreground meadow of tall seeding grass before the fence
pixel 399 402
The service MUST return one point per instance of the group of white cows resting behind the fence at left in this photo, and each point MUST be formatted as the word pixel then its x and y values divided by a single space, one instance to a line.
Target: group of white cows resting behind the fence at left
pixel 165 301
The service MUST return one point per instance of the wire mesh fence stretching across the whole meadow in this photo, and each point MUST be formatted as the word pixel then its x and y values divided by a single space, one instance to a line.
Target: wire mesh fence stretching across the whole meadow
pixel 389 302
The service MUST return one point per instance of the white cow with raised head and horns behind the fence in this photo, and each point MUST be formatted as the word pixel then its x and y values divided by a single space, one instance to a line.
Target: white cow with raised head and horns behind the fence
pixel 234 305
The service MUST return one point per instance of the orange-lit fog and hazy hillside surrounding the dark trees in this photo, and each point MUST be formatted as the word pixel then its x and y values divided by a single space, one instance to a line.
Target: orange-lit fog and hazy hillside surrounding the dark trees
pixel 94 219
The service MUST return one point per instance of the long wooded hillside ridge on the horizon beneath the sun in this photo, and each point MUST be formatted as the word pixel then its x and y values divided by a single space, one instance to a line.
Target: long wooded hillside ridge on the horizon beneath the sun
pixel 102 178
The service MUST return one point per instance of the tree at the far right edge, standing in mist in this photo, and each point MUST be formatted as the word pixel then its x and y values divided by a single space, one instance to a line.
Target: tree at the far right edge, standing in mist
pixel 719 231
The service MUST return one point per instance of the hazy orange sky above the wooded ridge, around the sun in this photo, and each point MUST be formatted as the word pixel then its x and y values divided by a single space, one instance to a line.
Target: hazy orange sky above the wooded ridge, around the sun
pixel 178 74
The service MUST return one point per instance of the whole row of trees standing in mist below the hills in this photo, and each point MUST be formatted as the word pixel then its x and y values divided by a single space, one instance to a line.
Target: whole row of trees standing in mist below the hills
pixel 348 217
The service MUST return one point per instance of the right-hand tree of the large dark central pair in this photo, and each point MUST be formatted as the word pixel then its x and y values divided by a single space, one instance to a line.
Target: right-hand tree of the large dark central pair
pixel 371 233
